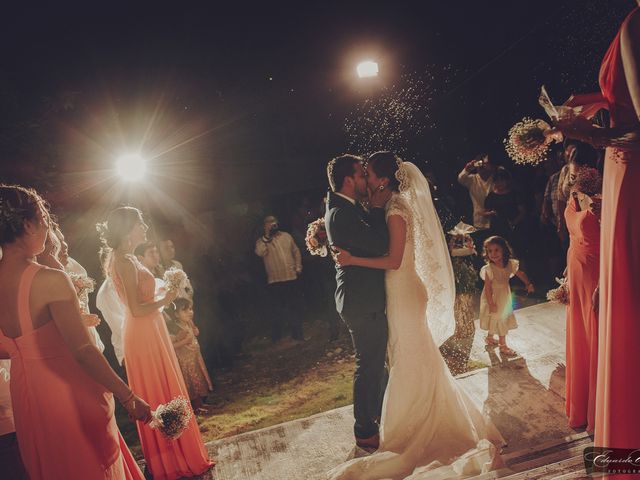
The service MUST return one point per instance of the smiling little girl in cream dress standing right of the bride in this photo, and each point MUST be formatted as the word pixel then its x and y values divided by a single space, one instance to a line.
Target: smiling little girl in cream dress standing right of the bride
pixel 496 309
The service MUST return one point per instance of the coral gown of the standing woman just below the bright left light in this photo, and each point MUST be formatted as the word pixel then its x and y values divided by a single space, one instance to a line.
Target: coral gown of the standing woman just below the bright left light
pixel 154 374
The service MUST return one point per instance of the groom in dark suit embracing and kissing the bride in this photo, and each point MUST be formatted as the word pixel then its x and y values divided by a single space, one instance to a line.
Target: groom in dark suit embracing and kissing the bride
pixel 360 293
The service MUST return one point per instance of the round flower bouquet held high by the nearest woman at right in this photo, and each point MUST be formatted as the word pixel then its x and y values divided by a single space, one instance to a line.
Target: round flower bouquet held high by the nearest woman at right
pixel 528 141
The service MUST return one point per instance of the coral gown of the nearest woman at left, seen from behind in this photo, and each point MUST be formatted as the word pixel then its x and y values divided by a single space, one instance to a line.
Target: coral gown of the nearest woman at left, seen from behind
pixel 64 419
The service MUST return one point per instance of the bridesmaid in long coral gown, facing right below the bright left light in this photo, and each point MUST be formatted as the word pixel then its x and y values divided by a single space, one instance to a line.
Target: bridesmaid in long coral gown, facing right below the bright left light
pixel 152 366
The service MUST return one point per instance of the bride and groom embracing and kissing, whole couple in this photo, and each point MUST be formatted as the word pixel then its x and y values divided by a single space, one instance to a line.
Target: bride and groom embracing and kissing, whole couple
pixel 395 292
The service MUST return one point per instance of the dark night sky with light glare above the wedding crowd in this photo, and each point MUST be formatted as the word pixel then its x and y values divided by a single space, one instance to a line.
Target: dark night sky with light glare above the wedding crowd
pixel 240 103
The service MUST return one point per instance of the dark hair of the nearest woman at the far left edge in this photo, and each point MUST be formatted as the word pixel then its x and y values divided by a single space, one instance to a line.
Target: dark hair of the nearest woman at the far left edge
pixel 18 205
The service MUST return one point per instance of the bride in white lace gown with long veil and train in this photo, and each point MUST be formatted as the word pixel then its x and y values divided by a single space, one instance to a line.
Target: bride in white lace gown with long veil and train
pixel 430 428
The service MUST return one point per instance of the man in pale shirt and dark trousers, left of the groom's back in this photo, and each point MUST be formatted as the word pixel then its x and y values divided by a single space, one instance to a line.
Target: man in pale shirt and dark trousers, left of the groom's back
pixel 283 265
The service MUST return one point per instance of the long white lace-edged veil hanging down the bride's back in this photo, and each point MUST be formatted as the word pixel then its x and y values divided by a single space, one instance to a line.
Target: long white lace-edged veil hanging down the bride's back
pixel 433 263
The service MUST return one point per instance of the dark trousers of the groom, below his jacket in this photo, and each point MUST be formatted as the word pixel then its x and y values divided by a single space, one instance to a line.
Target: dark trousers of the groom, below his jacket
pixel 369 333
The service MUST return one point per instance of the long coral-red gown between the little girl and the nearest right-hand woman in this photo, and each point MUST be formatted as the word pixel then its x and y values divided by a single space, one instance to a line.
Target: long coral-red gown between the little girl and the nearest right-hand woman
pixel 583 270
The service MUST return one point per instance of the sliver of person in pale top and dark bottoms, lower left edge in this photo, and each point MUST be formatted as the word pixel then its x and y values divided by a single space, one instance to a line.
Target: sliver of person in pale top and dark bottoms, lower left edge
pixel 10 460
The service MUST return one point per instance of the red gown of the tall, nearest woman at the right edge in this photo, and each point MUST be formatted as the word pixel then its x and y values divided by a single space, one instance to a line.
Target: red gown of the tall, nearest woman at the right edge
pixel 617 420
